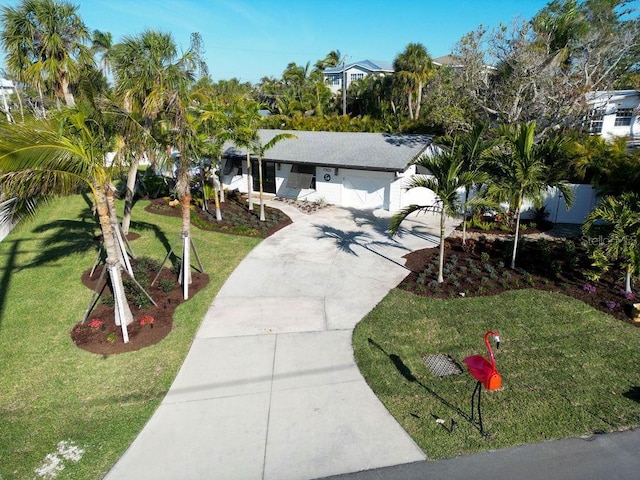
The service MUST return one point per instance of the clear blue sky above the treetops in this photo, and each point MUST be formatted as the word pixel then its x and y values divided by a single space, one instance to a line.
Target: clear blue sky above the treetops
pixel 249 39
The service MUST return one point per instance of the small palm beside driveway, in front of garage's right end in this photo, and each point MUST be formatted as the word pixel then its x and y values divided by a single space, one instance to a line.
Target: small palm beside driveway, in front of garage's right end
pixel 447 178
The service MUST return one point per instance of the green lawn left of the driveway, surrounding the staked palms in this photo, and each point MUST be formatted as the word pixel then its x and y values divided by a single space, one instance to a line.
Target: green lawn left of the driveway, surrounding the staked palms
pixel 52 391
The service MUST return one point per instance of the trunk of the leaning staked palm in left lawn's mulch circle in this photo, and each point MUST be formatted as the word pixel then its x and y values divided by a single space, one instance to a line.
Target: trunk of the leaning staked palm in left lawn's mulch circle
pixel 123 314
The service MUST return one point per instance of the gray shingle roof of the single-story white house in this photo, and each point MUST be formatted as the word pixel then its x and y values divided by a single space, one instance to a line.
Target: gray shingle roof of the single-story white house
pixel 365 151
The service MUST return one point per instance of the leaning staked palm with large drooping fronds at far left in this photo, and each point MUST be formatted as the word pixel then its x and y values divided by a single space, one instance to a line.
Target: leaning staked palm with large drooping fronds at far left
pixel 37 163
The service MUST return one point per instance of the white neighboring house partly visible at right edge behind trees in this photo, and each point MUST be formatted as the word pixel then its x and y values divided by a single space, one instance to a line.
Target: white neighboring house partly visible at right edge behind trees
pixel 614 114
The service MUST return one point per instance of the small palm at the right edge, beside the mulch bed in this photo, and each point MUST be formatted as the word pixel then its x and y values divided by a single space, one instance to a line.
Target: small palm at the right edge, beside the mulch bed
pixel 619 219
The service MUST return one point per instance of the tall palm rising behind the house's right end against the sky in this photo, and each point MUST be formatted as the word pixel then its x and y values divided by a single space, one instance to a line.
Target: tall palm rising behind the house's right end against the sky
pixel 413 68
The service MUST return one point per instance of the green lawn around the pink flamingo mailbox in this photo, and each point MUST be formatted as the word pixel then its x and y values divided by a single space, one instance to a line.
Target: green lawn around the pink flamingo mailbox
pixel 567 369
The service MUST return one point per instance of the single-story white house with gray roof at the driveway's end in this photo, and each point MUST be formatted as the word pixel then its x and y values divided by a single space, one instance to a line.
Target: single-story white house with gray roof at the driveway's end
pixel 358 170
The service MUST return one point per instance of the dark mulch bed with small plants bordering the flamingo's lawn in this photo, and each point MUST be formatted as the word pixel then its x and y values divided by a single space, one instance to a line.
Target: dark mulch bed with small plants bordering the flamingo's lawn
pixel 481 267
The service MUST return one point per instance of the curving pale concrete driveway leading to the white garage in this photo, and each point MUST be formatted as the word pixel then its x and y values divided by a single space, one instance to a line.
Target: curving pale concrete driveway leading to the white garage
pixel 270 389
